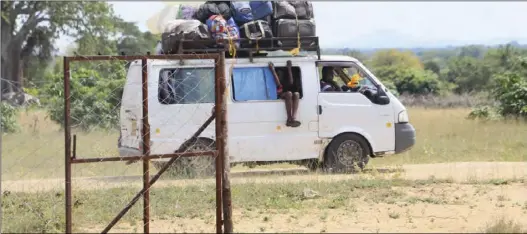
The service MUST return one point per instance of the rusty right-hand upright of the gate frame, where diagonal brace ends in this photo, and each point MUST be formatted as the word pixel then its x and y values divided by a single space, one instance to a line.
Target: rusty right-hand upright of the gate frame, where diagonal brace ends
pixel 218 68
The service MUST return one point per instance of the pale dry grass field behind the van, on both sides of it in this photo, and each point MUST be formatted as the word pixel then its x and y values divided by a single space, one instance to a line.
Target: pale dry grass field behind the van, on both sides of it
pixel 443 135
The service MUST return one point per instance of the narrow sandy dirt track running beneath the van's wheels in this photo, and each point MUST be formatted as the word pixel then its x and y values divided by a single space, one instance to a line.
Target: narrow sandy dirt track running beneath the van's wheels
pixel 458 172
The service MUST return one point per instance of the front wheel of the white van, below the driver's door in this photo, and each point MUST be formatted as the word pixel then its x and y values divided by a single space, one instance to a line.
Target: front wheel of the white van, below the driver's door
pixel 346 153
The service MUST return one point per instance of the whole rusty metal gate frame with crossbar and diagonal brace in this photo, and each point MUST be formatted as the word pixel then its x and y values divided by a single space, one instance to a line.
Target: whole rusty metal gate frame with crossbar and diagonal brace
pixel 221 140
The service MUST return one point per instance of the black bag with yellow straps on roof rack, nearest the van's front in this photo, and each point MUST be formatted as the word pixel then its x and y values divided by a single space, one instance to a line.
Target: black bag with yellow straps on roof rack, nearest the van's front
pixel 289 28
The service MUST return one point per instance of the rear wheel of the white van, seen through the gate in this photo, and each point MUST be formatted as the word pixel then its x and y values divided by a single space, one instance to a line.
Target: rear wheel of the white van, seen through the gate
pixel 192 167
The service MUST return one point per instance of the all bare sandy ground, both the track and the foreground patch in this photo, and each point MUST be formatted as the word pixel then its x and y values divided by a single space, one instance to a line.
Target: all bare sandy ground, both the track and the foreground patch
pixel 447 207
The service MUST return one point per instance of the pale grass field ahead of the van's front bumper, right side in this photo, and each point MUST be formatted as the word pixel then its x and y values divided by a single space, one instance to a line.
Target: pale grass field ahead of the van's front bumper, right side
pixel 445 135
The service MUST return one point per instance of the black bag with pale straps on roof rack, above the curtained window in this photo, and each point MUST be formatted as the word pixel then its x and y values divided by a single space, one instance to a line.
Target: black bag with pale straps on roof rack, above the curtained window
pixel 255 30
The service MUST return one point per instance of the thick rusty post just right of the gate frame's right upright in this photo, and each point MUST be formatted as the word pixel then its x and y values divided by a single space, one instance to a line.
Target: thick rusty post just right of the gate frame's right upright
pixel 223 148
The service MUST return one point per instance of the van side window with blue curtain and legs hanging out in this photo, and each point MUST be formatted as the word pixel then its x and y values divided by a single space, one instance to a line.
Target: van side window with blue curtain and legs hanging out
pixel 258 84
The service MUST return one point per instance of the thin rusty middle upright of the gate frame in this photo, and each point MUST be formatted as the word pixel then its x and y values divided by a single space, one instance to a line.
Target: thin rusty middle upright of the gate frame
pixel 146 150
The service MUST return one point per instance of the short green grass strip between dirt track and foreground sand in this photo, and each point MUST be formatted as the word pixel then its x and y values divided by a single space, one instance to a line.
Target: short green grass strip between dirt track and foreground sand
pixel 44 212
